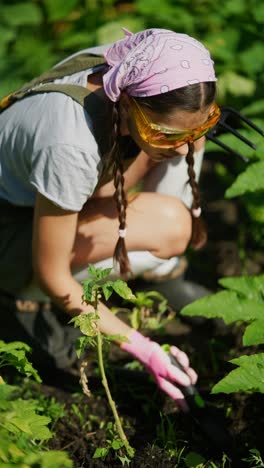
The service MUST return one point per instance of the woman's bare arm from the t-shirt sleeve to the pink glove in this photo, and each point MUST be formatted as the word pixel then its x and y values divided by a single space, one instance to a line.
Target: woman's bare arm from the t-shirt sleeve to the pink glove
pixel 53 239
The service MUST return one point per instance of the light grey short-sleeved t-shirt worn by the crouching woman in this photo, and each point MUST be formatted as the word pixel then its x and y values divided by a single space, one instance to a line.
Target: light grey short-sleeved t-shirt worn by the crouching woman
pixel 47 145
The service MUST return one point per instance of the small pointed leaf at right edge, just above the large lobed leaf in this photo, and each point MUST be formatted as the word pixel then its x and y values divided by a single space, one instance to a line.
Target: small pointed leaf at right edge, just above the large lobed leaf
pixel 252 287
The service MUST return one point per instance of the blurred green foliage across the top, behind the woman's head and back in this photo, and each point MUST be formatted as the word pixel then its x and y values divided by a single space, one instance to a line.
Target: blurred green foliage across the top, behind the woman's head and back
pixel 35 34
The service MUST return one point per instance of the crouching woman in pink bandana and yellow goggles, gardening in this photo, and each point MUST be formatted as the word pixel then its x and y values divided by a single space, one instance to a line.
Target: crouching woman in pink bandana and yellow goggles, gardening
pixel 155 93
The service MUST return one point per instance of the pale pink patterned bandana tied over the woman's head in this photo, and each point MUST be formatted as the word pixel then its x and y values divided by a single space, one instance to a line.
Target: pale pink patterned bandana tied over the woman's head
pixel 155 61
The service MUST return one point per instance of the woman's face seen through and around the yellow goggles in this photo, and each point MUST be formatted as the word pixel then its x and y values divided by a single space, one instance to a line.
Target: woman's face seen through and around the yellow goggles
pixel 177 119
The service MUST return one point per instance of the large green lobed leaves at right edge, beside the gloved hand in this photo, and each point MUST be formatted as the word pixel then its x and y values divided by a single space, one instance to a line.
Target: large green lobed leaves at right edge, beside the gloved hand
pixel 243 302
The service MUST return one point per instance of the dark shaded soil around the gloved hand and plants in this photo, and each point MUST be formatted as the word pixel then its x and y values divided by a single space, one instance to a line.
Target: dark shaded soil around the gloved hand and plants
pixel 161 435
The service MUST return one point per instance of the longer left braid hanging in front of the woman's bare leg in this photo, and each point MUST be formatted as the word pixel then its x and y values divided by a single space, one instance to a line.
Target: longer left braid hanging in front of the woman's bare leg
pixel 120 252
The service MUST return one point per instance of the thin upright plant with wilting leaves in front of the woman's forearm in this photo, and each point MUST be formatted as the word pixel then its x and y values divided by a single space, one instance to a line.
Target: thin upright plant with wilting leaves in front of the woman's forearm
pixel 93 289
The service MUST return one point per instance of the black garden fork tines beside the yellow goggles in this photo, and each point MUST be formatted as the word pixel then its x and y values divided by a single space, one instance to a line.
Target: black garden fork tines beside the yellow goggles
pixel 225 113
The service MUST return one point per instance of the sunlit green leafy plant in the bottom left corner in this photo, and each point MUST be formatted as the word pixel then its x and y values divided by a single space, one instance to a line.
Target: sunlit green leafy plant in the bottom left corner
pixel 23 431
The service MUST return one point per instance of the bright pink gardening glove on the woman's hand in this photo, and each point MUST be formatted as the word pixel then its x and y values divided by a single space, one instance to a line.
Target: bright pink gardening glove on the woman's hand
pixel 158 363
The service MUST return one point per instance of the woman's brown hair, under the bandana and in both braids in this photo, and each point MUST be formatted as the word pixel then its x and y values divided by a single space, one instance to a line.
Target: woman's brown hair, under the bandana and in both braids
pixel 189 98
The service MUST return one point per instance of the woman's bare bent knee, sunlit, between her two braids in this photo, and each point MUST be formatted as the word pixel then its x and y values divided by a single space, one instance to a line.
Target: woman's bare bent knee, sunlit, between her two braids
pixel 176 228
